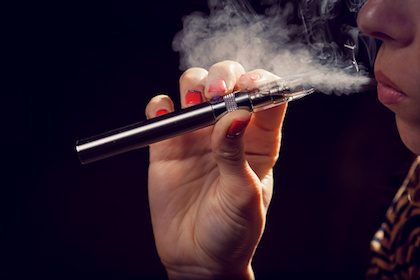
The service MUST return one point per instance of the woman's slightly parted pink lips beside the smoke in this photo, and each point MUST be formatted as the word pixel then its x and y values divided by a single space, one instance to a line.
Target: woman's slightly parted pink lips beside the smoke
pixel 388 93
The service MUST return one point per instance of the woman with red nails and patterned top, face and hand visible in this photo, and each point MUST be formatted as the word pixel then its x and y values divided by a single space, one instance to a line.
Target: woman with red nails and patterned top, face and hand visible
pixel 209 209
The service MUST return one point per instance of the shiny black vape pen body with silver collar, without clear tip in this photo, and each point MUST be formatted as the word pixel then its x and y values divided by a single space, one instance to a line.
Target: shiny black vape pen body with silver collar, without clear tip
pixel 144 133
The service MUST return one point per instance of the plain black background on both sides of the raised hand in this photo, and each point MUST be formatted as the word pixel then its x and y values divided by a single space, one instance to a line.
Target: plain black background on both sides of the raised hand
pixel 72 70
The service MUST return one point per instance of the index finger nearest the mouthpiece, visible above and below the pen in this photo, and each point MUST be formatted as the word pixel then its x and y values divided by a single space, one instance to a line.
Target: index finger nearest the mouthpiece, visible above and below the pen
pixel 267 119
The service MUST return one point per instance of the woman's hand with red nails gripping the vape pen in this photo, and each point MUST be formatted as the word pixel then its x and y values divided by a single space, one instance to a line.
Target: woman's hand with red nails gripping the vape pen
pixel 209 190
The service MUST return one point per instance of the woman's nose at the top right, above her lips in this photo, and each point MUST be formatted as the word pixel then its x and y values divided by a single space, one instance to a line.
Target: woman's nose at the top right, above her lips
pixel 387 20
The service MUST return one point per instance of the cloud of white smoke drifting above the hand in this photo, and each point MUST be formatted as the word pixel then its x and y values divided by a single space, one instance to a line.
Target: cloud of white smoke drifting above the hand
pixel 233 30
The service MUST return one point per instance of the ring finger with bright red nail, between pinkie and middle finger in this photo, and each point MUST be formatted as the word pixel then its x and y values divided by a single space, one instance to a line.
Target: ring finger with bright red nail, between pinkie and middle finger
pixel 191 86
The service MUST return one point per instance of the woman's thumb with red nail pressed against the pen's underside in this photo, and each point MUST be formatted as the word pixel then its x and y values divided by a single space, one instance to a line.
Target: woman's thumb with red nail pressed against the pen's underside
pixel 228 151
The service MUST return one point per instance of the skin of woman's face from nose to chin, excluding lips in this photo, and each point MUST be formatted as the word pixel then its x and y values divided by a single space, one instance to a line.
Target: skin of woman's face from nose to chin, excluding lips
pixel 397 25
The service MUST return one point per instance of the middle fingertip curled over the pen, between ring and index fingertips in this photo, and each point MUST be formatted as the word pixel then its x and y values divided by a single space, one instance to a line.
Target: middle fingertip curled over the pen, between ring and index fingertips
pixel 222 78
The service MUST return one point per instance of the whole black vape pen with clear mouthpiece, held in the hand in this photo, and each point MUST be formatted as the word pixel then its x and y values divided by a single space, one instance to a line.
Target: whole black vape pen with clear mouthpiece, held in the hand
pixel 144 133
